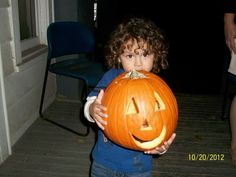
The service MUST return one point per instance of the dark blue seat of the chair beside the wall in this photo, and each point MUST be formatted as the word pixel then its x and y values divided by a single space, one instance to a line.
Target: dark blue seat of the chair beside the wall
pixel 90 71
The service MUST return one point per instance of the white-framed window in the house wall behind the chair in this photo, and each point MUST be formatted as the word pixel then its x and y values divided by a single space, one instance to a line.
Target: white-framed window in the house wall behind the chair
pixel 30 21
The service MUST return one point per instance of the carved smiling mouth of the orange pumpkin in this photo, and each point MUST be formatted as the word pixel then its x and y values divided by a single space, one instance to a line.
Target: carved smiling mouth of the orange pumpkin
pixel 150 144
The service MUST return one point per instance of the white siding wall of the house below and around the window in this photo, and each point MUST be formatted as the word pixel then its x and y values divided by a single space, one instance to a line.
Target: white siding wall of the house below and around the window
pixel 23 89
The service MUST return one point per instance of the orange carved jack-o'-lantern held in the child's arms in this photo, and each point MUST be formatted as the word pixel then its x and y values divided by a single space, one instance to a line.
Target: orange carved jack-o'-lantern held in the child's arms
pixel 142 110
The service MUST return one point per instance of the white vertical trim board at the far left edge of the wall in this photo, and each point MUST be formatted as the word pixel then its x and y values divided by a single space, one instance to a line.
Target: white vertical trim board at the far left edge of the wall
pixel 5 145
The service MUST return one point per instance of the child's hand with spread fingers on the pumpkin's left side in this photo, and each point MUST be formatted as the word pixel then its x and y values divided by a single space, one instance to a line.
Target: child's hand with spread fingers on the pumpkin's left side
pixel 96 111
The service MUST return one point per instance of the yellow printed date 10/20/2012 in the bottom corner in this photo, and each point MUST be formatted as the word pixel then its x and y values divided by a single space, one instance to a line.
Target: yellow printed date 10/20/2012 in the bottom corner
pixel 206 157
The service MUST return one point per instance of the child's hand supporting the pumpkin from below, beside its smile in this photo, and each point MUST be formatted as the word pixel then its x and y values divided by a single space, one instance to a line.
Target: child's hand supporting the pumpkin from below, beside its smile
pixel 161 150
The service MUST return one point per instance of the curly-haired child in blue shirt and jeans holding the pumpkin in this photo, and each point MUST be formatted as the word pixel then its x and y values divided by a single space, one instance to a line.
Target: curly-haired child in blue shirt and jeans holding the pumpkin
pixel 136 44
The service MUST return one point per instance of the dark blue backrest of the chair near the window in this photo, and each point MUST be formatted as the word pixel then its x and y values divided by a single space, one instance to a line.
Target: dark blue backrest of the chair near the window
pixel 65 38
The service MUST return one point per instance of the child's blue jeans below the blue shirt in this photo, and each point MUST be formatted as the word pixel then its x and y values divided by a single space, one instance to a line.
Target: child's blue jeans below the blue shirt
pixel 98 170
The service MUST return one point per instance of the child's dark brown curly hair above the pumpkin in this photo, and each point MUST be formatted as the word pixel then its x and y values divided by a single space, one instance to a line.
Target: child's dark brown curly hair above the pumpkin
pixel 141 30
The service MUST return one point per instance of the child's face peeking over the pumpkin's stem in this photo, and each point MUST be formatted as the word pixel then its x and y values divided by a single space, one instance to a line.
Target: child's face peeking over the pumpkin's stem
pixel 136 58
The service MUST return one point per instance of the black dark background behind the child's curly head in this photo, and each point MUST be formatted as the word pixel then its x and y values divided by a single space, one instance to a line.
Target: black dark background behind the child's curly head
pixel 194 30
